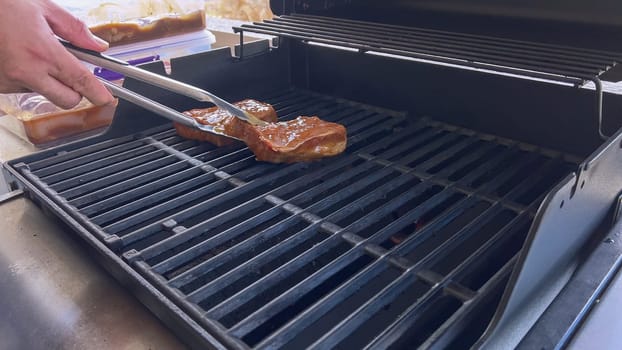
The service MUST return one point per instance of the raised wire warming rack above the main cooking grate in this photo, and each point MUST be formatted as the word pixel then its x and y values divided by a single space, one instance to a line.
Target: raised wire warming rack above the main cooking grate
pixel 558 63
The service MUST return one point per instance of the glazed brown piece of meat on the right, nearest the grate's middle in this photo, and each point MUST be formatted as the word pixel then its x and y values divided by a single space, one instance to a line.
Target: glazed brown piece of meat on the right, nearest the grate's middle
pixel 299 140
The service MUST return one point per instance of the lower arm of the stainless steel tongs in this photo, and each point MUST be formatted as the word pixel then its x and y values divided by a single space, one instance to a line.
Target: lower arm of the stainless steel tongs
pixel 160 109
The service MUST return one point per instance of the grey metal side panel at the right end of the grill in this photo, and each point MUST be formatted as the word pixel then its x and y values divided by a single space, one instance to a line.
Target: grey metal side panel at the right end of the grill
pixel 567 219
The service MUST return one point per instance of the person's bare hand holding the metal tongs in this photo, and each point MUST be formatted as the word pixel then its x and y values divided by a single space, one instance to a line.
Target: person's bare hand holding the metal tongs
pixel 31 58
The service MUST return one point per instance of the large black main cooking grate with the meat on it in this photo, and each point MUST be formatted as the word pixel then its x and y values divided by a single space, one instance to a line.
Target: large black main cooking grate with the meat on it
pixel 396 242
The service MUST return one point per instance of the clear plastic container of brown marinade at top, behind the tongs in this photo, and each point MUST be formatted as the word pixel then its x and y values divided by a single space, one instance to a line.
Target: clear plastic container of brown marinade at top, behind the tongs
pixel 146 31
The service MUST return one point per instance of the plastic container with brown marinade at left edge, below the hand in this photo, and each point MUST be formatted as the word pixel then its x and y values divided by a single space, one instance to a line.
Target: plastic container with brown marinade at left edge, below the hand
pixel 36 120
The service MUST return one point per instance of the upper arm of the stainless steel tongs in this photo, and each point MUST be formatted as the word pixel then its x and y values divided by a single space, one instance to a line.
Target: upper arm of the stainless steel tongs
pixel 162 82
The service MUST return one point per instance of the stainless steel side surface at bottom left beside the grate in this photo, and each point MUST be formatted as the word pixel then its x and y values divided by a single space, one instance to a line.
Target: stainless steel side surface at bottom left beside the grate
pixel 56 297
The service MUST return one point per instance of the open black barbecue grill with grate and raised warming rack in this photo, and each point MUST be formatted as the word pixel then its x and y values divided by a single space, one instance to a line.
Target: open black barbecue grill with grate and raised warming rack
pixel 469 208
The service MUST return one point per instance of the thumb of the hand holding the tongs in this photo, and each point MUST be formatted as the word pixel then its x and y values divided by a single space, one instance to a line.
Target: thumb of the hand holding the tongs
pixel 70 28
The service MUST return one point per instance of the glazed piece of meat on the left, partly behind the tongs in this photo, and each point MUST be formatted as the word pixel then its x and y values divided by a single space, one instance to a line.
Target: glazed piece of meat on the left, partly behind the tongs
pixel 220 119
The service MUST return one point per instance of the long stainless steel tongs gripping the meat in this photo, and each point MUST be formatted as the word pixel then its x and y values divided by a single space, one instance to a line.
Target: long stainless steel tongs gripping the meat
pixel 122 67
